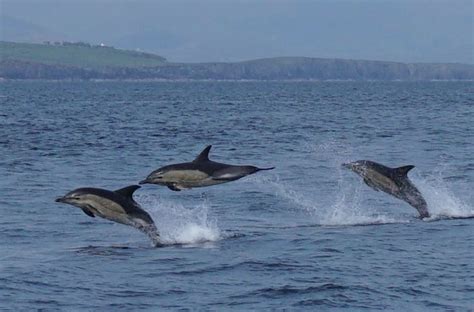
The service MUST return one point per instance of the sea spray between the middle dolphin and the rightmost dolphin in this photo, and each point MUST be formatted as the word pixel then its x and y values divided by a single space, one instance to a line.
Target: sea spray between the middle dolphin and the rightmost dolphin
pixel 342 201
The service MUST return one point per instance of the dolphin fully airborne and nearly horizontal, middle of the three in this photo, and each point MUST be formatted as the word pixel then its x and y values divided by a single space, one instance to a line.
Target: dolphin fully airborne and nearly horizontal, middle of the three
pixel 198 173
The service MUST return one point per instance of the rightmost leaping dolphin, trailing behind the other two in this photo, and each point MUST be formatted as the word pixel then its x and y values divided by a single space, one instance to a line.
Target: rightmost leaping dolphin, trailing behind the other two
pixel 393 181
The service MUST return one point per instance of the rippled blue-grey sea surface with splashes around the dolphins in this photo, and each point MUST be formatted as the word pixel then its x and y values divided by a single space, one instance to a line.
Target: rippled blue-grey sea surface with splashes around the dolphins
pixel 308 235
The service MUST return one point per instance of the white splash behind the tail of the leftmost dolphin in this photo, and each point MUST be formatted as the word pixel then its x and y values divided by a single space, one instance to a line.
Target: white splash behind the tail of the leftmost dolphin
pixel 180 225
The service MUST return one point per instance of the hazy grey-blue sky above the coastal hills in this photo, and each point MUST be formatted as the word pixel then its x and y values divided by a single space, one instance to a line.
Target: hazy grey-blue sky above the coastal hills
pixel 226 30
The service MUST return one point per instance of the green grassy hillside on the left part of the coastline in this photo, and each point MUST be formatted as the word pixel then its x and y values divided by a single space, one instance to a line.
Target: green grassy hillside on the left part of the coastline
pixel 81 55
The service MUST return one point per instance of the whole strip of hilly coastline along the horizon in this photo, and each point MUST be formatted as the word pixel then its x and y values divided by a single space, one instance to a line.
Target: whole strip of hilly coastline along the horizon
pixel 84 61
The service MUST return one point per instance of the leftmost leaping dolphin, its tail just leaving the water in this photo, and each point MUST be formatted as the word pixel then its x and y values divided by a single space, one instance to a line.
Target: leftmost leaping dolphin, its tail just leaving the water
pixel 118 206
